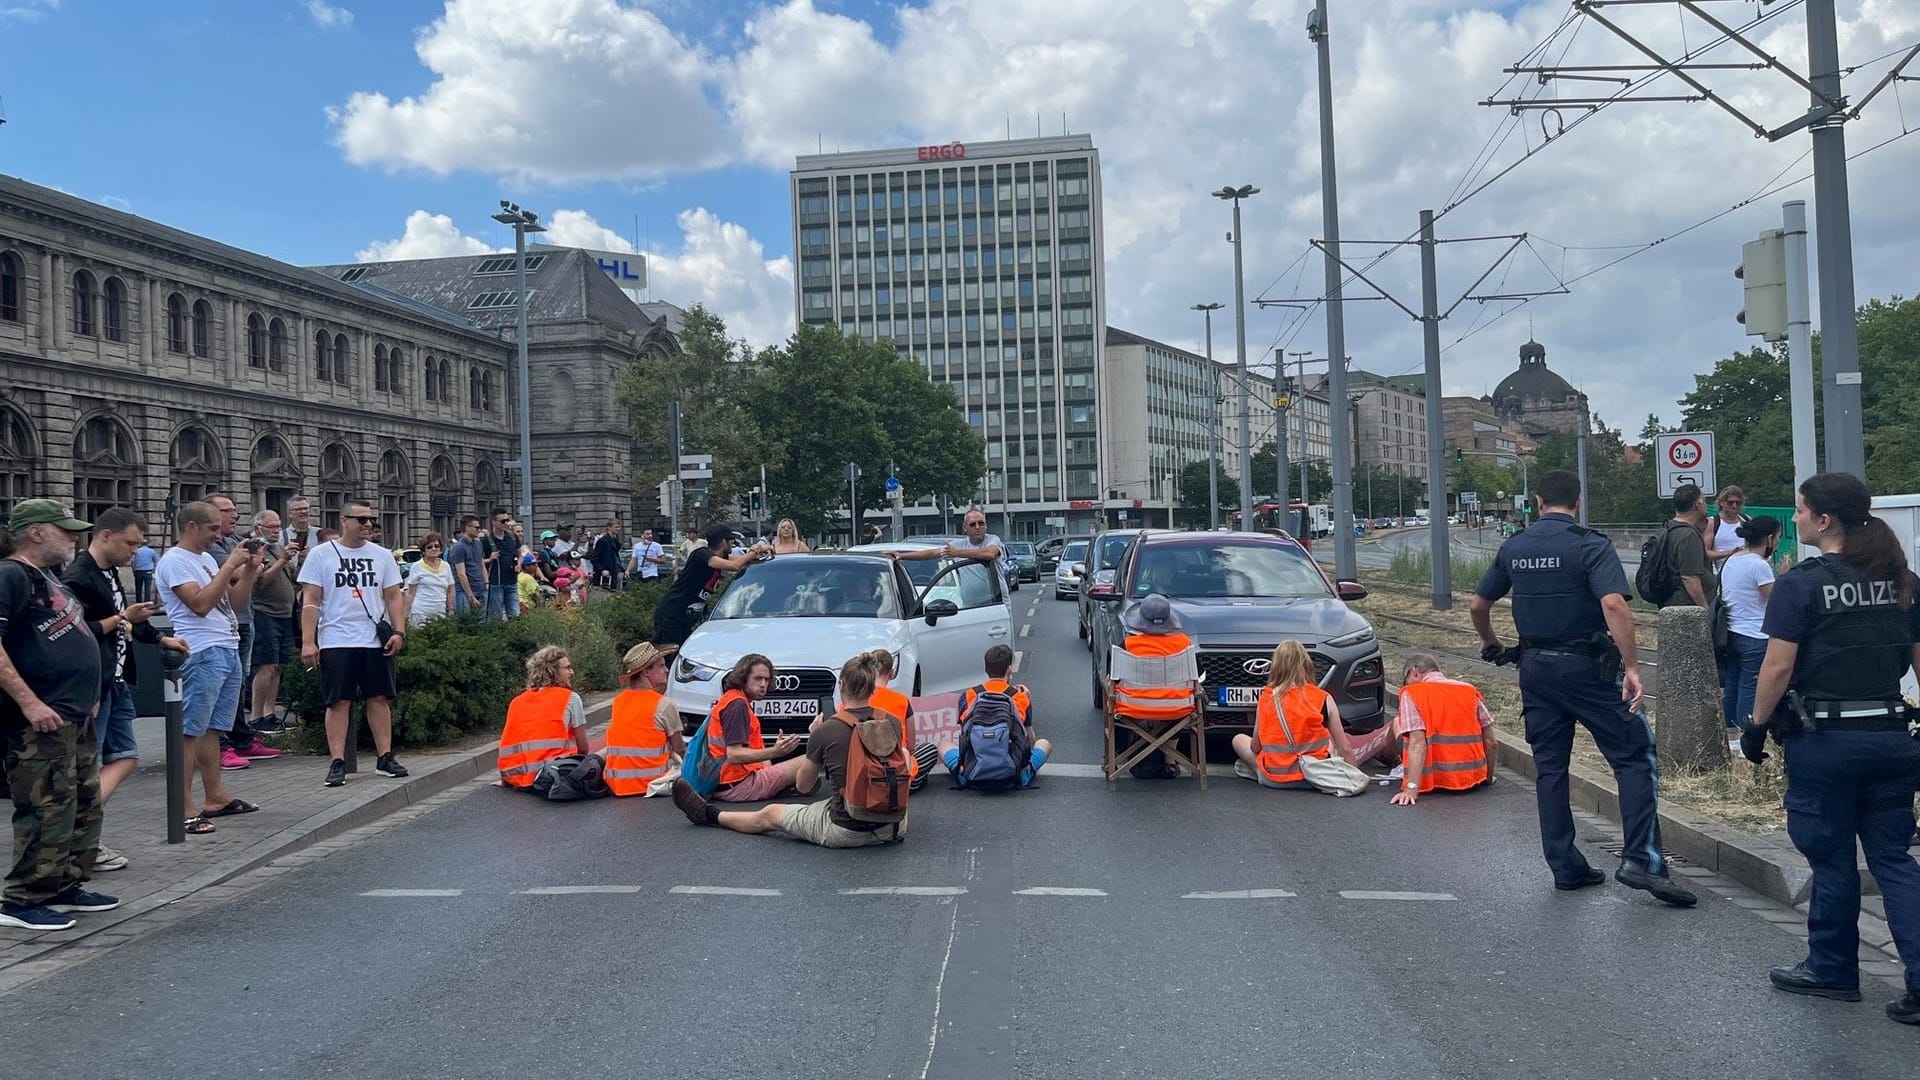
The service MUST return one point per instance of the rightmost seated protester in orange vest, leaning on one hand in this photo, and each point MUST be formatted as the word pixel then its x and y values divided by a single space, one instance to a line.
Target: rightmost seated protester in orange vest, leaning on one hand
pixel 1447 733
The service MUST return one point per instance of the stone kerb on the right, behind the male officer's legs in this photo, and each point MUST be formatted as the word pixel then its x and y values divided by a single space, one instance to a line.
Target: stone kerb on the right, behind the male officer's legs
pixel 1765 866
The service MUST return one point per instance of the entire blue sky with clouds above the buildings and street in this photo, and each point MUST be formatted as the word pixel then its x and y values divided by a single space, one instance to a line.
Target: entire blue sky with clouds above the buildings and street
pixel 322 132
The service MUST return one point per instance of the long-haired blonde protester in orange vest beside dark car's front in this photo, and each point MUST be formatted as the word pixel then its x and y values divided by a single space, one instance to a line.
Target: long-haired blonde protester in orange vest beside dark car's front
pixel 1295 720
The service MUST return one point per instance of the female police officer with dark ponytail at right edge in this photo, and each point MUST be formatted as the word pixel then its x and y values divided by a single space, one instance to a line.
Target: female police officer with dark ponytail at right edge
pixel 1842 631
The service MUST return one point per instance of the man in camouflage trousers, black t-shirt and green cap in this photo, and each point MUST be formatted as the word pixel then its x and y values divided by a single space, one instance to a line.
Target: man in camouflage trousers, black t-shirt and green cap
pixel 49 697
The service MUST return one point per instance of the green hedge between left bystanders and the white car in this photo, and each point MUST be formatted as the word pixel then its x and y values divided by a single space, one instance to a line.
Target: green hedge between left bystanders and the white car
pixel 458 675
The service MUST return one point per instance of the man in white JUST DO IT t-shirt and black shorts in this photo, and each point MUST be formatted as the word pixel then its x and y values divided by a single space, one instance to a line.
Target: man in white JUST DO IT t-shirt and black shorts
pixel 354 622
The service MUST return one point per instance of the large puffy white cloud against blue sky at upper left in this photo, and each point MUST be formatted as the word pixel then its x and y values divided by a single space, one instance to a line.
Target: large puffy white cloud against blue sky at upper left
pixel 544 89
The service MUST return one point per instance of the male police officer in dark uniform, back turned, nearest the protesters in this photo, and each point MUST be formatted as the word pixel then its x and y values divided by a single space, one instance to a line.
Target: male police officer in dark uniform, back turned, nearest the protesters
pixel 1570 591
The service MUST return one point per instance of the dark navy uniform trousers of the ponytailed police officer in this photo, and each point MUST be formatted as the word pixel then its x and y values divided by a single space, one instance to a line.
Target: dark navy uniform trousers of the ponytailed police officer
pixel 1844 787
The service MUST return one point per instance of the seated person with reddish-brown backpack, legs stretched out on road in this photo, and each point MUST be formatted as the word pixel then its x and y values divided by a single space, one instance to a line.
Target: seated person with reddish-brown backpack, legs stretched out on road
pixel 830 749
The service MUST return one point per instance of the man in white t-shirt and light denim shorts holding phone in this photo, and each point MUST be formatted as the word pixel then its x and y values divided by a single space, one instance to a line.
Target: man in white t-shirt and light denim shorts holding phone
pixel 195 589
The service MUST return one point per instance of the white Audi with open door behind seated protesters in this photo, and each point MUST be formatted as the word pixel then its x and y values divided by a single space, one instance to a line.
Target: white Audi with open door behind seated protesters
pixel 811 612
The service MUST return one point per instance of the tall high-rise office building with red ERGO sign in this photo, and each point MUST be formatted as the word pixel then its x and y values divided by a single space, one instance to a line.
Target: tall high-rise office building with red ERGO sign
pixel 984 262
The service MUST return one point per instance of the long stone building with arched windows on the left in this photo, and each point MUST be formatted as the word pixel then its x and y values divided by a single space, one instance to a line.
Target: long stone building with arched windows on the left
pixel 143 366
